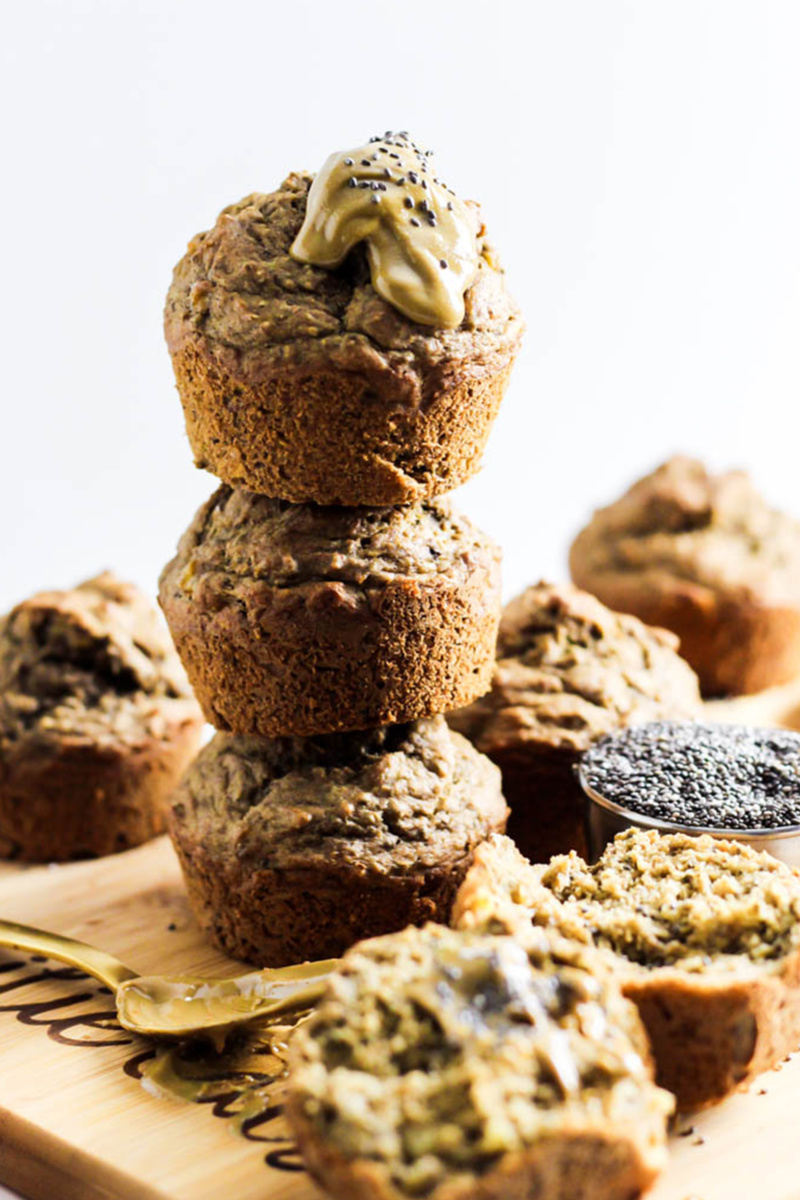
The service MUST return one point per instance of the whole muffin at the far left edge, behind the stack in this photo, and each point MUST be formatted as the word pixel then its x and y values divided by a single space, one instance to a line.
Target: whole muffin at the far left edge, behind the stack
pixel 97 723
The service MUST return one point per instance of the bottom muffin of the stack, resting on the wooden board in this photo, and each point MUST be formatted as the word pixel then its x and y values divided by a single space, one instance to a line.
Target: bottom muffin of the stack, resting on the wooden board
pixel 297 848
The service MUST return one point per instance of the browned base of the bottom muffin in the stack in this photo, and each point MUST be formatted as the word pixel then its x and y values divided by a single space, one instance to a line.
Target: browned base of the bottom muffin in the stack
pixel 274 919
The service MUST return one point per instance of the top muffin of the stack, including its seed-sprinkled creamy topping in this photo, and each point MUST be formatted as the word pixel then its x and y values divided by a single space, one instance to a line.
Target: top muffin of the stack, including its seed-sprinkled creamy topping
pixel 304 382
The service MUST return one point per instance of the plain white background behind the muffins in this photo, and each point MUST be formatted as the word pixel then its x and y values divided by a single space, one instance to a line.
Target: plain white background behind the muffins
pixel 639 166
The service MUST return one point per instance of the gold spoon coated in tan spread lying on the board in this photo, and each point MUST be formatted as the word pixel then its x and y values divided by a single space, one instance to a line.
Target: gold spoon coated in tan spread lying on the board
pixel 181 1006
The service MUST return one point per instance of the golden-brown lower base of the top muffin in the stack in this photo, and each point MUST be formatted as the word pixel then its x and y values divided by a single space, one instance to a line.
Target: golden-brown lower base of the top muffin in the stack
pixel 334 439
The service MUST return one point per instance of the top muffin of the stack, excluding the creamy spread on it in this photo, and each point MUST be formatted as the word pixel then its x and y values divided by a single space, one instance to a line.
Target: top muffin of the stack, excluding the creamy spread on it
pixel 302 382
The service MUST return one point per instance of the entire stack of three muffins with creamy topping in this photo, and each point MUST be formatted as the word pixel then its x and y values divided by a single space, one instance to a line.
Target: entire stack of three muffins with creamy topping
pixel 341 349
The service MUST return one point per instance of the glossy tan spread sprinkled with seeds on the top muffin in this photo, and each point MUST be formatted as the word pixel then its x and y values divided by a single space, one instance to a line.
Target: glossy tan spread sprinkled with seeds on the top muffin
pixel 422 241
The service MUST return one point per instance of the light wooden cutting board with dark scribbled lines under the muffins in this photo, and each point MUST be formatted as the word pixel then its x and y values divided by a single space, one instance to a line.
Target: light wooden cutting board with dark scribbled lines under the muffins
pixel 77 1124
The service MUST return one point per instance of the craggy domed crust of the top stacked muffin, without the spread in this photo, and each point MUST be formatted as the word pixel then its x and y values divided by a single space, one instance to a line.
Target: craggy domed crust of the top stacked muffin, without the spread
pixel 240 291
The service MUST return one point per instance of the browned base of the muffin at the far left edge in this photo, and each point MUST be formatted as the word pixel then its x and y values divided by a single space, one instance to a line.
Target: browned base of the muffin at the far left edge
pixel 75 800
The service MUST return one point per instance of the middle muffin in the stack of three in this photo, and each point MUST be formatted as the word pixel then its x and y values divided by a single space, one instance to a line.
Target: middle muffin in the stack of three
pixel 296 620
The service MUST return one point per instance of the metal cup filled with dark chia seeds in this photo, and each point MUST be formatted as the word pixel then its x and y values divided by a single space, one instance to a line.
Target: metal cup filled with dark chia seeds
pixel 688 777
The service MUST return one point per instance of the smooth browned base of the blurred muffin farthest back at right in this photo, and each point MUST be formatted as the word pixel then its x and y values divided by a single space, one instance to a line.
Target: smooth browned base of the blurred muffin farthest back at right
pixel 736 647
